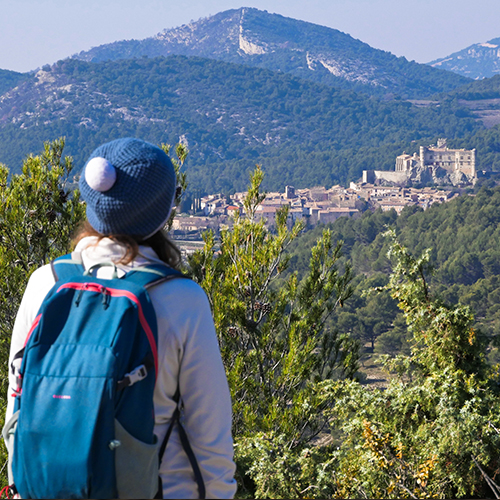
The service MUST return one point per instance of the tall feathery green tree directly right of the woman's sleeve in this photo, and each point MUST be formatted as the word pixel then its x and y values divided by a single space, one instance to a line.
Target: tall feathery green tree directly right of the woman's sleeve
pixel 275 341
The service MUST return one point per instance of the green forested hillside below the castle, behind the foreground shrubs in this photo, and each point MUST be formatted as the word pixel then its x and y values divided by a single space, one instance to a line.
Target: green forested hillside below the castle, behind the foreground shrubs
pixel 464 235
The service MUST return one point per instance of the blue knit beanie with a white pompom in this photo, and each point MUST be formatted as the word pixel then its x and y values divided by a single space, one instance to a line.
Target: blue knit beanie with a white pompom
pixel 129 186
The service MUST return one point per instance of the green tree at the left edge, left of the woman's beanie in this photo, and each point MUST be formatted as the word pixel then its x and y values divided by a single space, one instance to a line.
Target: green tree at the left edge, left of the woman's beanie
pixel 39 211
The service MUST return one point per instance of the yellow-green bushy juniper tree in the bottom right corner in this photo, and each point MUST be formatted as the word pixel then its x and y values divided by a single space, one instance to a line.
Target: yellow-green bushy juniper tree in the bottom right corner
pixel 434 432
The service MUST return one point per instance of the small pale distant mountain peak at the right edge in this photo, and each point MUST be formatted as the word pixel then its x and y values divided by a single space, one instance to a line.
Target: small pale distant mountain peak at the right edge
pixel 481 60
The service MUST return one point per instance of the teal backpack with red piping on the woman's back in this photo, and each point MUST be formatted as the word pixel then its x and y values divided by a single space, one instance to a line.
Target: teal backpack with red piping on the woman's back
pixel 83 417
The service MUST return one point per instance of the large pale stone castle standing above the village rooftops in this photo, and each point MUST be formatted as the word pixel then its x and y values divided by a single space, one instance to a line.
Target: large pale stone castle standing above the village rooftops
pixel 435 164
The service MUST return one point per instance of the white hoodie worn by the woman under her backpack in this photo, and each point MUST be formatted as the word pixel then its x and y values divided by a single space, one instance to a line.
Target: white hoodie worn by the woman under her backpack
pixel 188 356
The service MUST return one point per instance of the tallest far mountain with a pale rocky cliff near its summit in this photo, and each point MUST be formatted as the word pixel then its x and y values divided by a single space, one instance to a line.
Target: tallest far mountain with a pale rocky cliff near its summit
pixel 257 38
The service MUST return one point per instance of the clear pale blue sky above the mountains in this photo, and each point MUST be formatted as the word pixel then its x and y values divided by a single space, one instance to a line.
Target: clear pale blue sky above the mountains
pixel 37 32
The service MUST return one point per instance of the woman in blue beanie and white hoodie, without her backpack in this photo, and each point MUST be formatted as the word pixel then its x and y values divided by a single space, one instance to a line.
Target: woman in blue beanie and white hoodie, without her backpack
pixel 129 187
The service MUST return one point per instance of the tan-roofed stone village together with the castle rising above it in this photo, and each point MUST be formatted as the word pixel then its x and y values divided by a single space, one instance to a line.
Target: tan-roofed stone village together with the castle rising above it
pixel 319 205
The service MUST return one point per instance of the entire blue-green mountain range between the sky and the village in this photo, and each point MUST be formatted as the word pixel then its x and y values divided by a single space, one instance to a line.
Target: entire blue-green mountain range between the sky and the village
pixel 257 106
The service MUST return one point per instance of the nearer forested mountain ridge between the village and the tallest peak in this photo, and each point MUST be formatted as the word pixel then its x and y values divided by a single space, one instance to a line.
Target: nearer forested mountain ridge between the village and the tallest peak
pixel 232 116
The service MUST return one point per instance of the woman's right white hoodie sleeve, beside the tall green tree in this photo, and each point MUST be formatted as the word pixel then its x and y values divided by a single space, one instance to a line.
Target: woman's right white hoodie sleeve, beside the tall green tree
pixel 190 356
